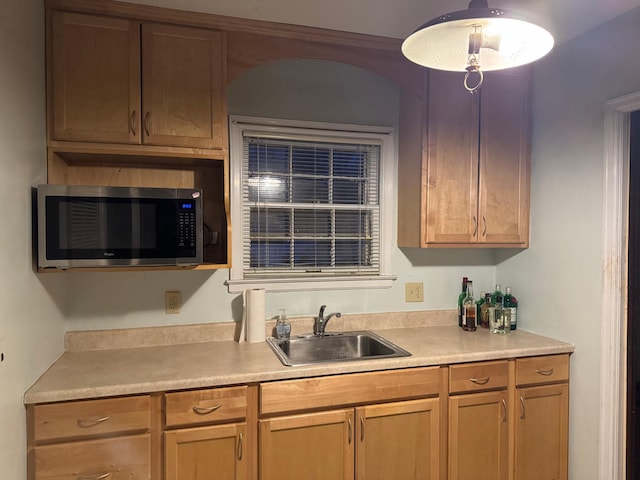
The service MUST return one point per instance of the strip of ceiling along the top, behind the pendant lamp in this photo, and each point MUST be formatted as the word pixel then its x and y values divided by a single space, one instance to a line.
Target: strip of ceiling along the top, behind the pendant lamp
pixel 566 19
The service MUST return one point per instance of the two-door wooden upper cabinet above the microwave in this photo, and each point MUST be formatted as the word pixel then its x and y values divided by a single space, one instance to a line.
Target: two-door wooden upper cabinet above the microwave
pixel 116 80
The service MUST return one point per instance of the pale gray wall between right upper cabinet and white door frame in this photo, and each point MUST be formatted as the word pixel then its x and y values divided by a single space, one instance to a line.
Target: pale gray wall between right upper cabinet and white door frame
pixel 562 271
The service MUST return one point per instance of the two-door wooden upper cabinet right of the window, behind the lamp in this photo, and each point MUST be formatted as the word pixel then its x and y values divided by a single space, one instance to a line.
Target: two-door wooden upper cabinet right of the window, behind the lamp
pixel 472 153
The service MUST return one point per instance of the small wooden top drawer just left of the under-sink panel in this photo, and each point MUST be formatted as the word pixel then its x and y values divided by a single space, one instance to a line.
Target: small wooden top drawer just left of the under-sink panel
pixel 206 406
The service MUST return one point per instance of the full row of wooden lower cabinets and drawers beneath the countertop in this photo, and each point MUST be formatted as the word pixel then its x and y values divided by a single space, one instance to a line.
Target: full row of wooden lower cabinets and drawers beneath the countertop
pixel 493 420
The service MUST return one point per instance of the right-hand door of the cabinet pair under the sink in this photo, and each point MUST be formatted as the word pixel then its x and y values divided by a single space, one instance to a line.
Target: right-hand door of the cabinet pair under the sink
pixel 398 441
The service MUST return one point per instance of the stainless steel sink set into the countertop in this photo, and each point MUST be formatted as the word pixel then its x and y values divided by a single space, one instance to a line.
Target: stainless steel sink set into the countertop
pixel 334 347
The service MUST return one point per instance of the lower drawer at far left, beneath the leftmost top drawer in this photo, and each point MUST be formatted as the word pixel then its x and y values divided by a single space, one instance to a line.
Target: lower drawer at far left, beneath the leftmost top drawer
pixel 121 458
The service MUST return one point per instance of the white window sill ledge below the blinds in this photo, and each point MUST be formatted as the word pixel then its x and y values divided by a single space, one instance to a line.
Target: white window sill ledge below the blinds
pixel 300 284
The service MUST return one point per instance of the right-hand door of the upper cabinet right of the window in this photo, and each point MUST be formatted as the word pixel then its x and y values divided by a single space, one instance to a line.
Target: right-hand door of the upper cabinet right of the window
pixel 505 158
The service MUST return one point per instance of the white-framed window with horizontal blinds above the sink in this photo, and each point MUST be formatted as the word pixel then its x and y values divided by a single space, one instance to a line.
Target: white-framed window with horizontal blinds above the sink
pixel 309 204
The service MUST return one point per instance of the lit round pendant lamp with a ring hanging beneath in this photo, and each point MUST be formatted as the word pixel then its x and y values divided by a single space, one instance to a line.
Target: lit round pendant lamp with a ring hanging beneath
pixel 476 40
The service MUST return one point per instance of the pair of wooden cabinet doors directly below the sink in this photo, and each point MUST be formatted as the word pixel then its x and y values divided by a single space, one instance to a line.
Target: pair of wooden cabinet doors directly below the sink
pixel 396 440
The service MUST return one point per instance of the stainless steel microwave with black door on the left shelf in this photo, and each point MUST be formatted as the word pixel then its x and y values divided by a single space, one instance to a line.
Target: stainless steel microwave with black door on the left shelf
pixel 93 226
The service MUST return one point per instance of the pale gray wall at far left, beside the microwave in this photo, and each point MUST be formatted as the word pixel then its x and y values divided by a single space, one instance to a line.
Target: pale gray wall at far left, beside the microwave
pixel 31 322
